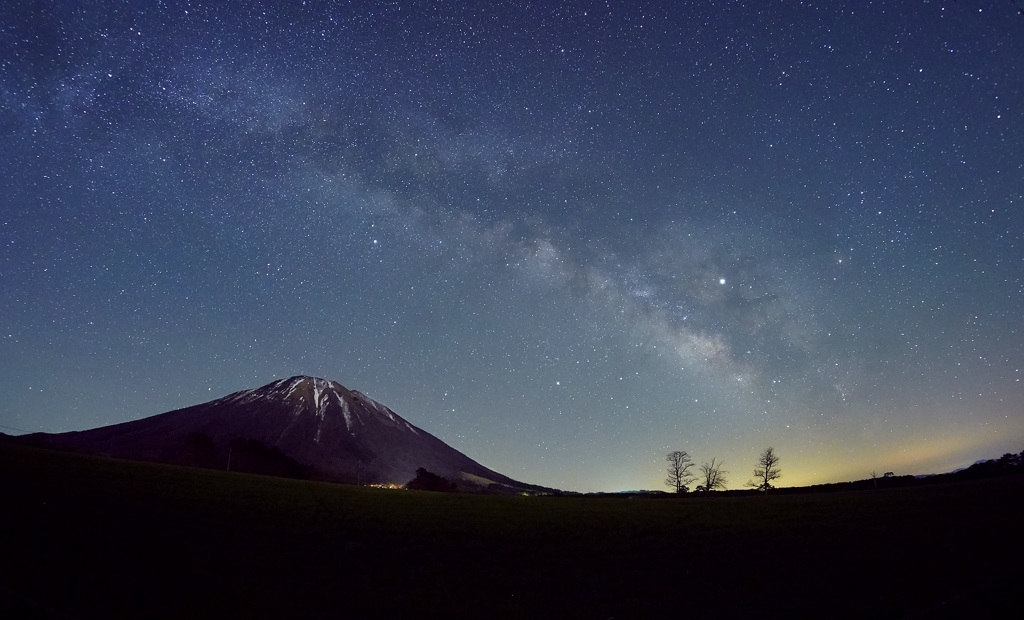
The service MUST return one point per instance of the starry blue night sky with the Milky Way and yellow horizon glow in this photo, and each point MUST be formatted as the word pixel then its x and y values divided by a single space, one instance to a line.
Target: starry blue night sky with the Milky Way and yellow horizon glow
pixel 566 241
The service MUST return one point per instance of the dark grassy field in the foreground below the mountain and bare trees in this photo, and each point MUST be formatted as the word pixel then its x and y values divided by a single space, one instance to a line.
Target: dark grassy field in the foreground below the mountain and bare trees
pixel 93 539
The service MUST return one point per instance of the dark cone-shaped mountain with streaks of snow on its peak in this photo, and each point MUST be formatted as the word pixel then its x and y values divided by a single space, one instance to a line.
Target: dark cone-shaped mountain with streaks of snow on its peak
pixel 305 423
